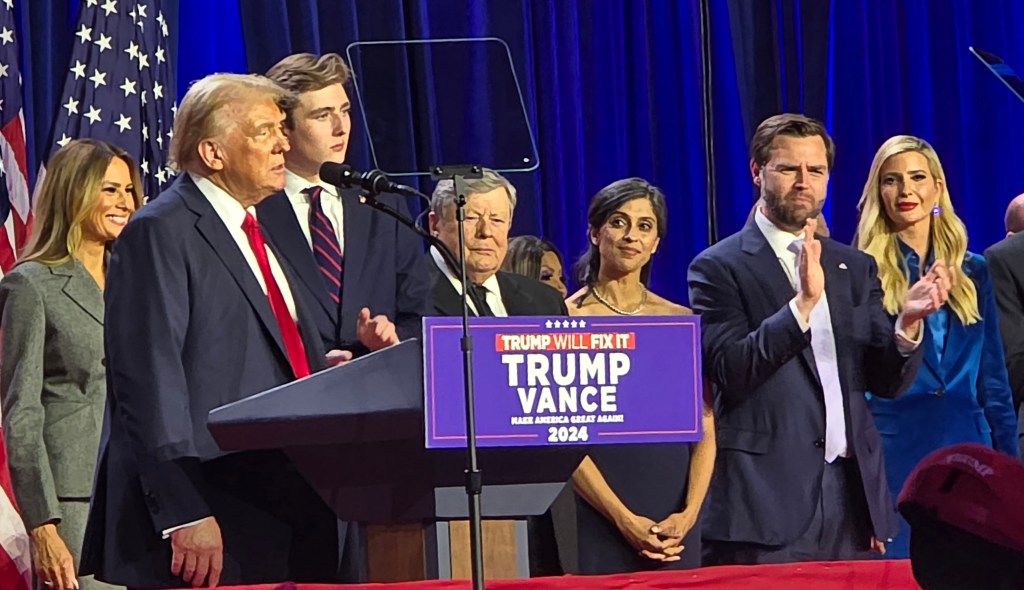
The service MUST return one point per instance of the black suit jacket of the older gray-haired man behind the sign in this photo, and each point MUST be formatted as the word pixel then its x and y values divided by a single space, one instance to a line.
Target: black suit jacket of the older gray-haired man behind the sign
pixel 522 296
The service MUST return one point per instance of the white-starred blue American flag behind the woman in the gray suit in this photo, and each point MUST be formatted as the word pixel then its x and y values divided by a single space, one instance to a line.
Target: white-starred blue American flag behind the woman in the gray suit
pixel 119 88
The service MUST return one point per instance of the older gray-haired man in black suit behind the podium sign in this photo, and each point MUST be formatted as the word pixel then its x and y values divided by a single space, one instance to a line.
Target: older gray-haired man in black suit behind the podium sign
pixel 490 205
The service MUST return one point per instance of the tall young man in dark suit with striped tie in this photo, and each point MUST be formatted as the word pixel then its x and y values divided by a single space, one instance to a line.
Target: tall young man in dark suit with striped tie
pixel 362 270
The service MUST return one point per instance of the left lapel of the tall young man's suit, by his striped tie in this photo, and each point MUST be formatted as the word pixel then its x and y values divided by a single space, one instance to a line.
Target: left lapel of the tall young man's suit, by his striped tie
pixel 282 227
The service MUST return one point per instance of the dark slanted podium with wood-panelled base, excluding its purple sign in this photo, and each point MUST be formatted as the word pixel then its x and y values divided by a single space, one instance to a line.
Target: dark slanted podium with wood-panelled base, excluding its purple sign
pixel 357 435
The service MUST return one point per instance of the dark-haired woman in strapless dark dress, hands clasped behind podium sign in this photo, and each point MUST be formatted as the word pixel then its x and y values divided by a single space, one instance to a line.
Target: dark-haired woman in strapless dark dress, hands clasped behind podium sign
pixel 637 507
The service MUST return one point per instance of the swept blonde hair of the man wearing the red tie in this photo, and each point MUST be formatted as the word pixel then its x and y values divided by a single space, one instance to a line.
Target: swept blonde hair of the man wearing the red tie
pixel 202 113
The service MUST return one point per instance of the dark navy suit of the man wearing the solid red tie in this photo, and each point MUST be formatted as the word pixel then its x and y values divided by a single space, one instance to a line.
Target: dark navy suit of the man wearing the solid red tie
pixel 189 329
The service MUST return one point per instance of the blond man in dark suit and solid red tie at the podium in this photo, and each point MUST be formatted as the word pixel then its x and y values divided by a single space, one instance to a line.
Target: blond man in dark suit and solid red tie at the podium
pixel 201 312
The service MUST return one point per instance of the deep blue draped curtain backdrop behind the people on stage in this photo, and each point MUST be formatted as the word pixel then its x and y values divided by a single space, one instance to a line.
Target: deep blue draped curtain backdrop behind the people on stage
pixel 613 90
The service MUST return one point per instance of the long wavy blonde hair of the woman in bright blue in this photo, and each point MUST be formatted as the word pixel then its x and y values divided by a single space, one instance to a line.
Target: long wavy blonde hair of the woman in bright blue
pixel 877 236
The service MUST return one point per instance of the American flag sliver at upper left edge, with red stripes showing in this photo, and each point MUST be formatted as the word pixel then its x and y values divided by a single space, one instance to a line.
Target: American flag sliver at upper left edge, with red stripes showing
pixel 16 208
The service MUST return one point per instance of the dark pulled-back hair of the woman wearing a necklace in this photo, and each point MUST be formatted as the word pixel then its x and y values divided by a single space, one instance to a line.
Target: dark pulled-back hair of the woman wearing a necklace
pixel 607 202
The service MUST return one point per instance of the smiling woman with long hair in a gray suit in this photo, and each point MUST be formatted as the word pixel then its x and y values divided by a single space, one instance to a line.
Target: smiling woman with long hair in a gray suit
pixel 53 381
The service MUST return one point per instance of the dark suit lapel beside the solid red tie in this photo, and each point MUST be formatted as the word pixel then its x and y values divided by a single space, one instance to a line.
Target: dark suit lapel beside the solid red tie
pixel 212 229
